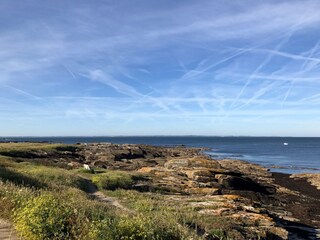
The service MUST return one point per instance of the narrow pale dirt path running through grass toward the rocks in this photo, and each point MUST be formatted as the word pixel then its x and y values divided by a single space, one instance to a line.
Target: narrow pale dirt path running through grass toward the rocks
pixel 100 196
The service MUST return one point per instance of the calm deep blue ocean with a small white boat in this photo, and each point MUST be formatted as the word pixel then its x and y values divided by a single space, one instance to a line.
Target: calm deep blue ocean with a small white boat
pixel 280 154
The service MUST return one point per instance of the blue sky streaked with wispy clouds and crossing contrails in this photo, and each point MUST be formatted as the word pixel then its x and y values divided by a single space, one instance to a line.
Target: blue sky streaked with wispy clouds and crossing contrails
pixel 149 67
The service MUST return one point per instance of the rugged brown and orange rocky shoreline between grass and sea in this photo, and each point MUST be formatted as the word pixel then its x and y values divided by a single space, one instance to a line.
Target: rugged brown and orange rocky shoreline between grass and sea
pixel 254 201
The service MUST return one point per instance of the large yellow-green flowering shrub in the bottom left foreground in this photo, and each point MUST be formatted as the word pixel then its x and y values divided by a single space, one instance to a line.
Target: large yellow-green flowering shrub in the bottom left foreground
pixel 49 216
